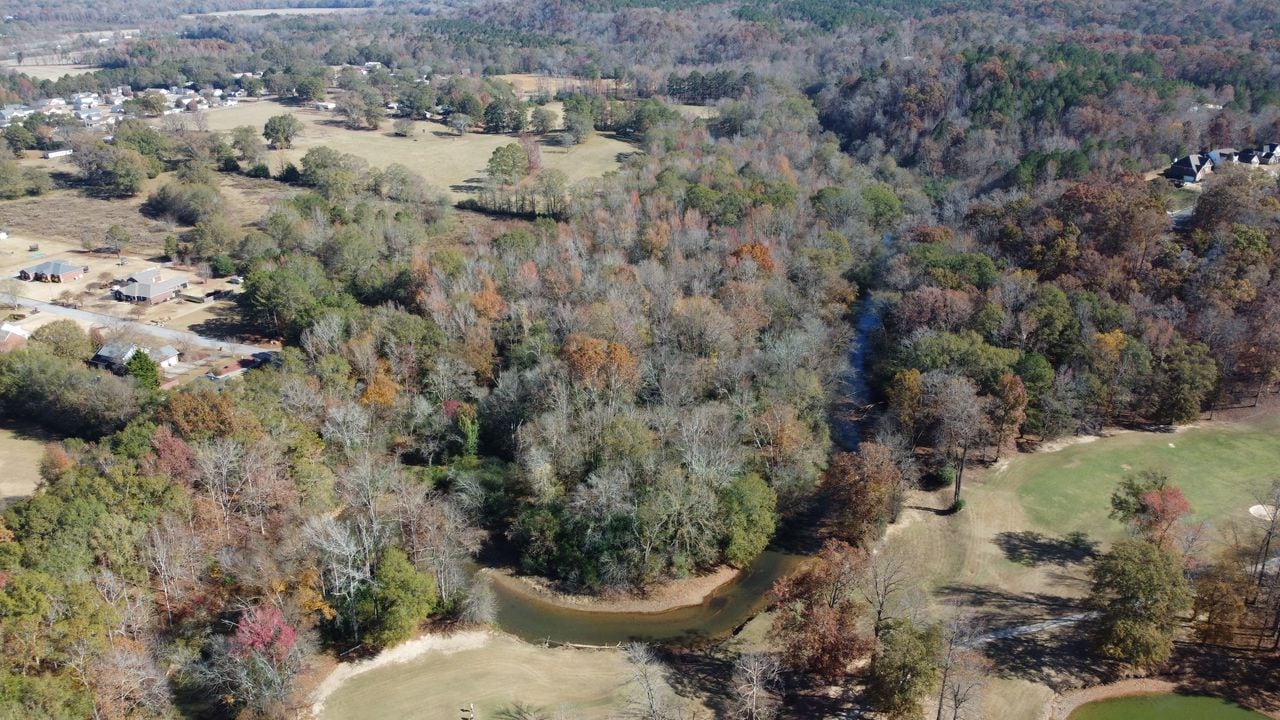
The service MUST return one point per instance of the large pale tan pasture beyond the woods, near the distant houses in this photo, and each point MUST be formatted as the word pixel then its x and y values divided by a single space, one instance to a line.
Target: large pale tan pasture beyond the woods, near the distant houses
pixel 456 165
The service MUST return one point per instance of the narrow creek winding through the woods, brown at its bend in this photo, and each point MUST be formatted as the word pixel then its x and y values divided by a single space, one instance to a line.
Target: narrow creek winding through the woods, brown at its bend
pixel 537 621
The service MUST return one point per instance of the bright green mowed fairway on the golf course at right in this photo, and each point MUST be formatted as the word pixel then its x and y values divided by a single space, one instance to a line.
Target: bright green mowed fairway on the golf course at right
pixel 1222 468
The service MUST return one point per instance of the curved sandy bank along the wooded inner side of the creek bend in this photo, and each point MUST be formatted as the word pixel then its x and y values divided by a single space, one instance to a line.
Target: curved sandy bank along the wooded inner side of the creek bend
pixel 662 598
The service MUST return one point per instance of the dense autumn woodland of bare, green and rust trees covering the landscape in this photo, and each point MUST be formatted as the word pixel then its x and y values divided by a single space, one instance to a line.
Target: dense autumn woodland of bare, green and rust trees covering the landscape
pixel 636 377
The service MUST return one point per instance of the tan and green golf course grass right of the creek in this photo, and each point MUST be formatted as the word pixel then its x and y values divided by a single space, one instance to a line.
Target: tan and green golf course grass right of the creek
pixel 1021 550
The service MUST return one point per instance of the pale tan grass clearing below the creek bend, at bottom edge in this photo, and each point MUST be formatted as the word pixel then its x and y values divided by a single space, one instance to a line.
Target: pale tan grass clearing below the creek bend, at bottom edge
pixel 500 672
